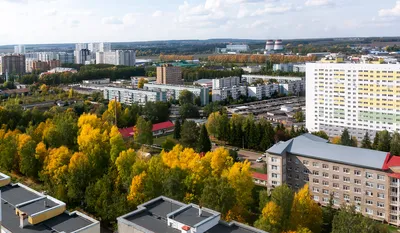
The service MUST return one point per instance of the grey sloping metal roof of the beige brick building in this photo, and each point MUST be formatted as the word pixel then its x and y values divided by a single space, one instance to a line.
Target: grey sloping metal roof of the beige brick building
pixel 304 146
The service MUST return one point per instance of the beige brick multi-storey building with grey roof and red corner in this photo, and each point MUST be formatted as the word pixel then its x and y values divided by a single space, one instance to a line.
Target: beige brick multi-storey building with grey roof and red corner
pixel 366 178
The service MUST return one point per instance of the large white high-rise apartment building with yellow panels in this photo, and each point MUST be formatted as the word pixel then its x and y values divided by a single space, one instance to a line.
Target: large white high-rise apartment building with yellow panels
pixel 359 97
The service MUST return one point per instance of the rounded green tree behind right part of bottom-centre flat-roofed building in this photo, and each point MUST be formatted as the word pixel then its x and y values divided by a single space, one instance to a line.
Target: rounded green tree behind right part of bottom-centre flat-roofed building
pixel 218 195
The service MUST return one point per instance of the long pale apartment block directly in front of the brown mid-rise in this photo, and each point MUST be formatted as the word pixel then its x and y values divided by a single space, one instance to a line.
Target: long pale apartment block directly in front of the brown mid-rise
pixel 174 91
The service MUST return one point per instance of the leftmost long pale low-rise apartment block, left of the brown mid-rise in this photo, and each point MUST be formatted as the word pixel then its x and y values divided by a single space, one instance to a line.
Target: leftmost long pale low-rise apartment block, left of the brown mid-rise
pixel 130 96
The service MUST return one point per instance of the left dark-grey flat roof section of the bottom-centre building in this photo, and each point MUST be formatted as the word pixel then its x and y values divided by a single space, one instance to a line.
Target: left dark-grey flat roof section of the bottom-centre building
pixel 145 220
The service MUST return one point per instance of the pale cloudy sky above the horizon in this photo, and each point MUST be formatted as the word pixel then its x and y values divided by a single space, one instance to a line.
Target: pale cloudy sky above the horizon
pixel 75 21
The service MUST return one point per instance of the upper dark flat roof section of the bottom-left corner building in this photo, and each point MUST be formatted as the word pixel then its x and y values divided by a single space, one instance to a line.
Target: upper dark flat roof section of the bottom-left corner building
pixel 16 194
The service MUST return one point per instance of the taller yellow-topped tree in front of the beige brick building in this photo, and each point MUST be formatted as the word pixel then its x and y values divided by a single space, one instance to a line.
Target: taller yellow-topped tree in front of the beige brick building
pixel 305 212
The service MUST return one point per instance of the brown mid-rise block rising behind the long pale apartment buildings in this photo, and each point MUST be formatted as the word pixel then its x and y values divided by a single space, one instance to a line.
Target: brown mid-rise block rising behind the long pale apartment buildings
pixel 168 74
